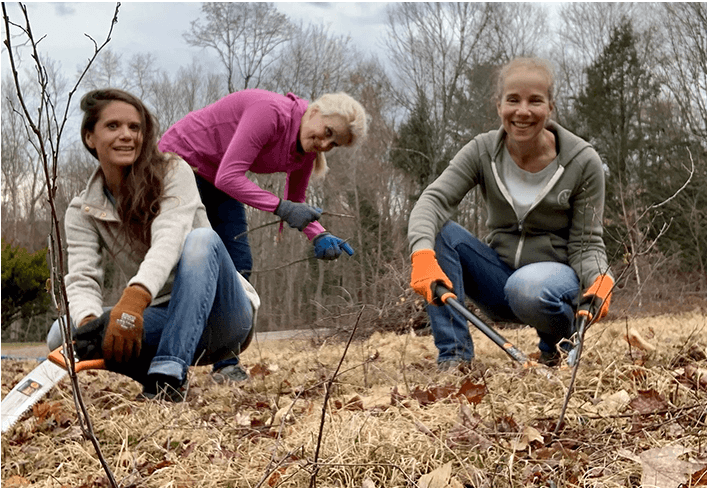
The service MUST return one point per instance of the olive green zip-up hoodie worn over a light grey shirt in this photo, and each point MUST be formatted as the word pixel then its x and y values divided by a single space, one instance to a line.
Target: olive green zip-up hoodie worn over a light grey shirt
pixel 564 224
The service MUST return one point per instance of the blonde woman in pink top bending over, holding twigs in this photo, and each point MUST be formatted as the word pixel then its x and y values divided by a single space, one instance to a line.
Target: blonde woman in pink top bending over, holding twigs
pixel 264 132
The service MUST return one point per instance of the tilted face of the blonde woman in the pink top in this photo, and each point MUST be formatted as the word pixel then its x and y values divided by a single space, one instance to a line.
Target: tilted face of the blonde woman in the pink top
pixel 319 133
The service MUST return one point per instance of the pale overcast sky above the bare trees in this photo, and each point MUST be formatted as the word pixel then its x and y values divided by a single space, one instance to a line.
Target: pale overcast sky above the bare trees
pixel 158 28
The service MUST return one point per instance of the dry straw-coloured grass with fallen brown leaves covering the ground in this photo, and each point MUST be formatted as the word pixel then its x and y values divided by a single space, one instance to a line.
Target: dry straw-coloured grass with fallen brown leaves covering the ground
pixel 380 430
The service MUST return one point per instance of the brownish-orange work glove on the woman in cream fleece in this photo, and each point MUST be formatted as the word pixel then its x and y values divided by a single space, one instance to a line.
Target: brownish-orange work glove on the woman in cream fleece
pixel 124 334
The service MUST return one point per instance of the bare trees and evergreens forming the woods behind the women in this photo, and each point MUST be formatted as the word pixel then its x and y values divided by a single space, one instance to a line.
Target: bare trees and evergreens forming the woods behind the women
pixel 630 78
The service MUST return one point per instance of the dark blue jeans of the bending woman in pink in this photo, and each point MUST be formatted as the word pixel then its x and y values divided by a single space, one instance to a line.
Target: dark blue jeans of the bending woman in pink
pixel 228 218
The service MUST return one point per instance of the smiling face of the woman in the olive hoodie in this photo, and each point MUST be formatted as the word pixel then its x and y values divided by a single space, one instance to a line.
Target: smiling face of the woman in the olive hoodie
pixel 524 106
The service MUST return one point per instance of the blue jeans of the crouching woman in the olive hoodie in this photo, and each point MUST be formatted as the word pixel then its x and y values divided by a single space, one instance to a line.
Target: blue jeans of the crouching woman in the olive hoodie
pixel 541 294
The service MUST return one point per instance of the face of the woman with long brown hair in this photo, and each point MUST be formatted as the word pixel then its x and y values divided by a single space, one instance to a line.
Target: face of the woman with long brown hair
pixel 117 136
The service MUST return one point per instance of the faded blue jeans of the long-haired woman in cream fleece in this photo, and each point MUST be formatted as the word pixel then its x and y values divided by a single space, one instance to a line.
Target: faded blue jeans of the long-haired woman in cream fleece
pixel 206 320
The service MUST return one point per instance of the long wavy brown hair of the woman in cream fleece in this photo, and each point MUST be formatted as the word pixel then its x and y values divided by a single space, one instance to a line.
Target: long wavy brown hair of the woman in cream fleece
pixel 138 200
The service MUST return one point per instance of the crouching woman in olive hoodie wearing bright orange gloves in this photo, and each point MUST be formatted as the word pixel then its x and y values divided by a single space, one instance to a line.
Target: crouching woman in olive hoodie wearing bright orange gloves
pixel 544 191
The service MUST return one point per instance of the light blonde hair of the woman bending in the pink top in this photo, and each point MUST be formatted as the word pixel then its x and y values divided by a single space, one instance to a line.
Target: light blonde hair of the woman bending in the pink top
pixel 354 116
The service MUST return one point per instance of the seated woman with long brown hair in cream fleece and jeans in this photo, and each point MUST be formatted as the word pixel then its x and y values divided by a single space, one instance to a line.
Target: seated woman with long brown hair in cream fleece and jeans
pixel 184 303
